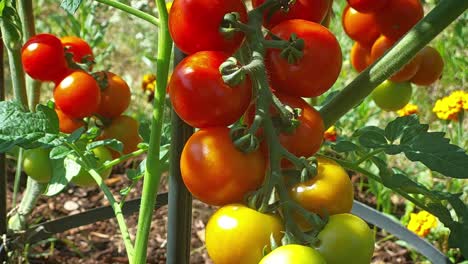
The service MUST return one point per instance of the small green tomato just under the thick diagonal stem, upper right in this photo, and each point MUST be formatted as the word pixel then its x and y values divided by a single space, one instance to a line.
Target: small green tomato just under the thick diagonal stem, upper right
pixel 391 96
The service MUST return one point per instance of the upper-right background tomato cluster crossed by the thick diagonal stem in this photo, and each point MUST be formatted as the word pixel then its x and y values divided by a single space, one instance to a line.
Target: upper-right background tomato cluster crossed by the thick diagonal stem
pixel 376 26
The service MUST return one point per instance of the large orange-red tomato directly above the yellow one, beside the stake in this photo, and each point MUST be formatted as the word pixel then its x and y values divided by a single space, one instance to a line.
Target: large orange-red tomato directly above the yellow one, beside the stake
pixel 215 171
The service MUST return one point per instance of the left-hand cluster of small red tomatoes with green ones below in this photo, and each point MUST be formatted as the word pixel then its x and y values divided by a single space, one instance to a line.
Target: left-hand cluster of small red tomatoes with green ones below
pixel 79 96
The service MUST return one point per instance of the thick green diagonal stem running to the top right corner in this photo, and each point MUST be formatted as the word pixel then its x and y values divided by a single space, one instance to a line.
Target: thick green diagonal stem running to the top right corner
pixel 418 37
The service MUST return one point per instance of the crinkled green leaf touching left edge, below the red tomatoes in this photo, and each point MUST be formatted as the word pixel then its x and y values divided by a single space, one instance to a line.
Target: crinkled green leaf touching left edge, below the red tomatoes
pixel 27 130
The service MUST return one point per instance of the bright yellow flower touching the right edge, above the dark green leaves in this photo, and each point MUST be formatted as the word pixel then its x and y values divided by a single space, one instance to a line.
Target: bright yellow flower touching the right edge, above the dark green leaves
pixel 449 107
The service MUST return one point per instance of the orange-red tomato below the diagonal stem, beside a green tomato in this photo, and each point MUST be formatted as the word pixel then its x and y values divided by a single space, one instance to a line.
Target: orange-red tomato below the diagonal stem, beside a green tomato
pixel 431 67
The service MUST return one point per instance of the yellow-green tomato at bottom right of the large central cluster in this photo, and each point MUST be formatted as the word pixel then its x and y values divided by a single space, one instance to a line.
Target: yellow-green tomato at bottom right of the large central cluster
pixel 346 239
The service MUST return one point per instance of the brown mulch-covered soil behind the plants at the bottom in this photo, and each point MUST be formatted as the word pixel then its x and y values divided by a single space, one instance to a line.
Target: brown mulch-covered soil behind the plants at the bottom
pixel 101 242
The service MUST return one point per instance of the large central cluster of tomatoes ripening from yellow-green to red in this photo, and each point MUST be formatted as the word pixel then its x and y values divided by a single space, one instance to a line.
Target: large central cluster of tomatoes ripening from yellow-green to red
pixel 218 173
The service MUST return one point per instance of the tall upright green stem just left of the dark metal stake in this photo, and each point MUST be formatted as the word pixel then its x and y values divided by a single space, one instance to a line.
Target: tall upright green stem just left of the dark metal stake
pixel 153 170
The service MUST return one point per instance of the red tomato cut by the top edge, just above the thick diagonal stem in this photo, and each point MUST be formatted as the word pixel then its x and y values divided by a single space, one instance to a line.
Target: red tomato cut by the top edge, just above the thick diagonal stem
pixel 398 17
